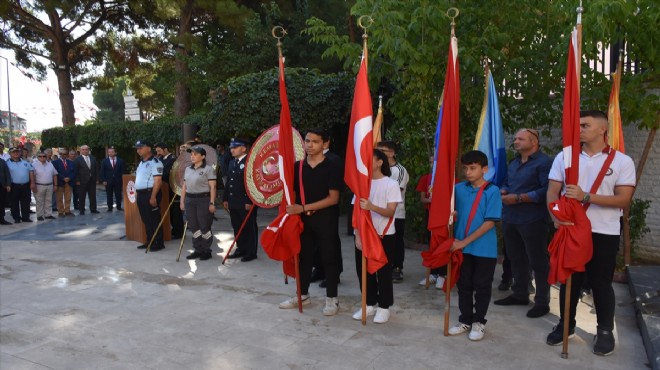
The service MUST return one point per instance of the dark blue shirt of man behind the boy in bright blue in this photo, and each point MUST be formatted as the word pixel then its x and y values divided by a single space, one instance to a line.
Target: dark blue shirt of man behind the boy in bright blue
pixel 529 178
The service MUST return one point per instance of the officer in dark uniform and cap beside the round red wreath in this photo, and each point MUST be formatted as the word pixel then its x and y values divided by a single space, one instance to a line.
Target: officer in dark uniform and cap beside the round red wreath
pixel 236 200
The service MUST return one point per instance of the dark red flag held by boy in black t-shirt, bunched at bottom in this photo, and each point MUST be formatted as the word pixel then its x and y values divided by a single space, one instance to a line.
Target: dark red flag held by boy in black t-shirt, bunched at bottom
pixel 281 239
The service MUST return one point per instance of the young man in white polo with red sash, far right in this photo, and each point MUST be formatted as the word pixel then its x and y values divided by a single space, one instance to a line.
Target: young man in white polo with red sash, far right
pixel 605 209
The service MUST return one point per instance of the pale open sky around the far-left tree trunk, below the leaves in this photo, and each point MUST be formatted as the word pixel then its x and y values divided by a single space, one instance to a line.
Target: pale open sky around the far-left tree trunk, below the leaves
pixel 38 102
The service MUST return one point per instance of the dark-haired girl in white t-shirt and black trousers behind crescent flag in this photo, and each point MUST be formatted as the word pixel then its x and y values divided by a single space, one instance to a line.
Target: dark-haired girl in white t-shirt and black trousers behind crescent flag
pixel 383 199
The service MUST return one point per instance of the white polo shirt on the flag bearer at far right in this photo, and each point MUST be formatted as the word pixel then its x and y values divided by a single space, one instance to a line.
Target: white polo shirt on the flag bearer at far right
pixel 604 220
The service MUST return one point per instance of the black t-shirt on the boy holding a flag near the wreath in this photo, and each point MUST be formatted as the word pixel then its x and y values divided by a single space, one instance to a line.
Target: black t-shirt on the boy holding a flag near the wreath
pixel 317 181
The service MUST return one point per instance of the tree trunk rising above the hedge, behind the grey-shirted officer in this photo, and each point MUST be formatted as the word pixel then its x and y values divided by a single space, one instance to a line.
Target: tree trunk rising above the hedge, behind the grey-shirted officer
pixel 182 89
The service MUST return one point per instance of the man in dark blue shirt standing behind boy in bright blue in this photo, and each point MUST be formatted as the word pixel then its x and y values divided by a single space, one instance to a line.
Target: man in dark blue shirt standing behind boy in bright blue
pixel 525 222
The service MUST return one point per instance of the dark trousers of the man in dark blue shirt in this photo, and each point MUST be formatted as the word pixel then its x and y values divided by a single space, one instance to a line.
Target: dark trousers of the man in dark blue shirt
pixel 526 247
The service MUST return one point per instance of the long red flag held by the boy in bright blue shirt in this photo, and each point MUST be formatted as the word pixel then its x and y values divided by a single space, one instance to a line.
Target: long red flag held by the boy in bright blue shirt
pixel 446 153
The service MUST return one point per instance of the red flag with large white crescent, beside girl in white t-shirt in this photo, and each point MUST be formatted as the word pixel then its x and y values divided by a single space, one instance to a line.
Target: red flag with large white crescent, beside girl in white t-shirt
pixel 357 173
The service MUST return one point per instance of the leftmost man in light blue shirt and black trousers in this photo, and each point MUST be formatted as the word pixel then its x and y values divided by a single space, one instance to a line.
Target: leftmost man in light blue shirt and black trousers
pixel 22 182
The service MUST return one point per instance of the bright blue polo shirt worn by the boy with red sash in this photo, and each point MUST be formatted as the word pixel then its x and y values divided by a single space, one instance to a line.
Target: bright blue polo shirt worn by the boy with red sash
pixel 490 209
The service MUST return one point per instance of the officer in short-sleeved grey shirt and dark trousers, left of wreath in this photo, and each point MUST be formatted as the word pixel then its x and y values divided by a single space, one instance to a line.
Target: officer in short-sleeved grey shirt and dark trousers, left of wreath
pixel 198 200
